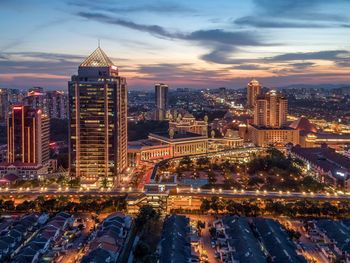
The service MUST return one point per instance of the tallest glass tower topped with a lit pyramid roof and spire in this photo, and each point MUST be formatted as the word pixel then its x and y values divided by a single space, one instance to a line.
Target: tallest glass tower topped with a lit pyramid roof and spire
pixel 98 120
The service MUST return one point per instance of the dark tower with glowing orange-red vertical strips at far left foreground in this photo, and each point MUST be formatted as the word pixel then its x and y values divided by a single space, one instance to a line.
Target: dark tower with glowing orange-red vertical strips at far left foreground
pixel 28 135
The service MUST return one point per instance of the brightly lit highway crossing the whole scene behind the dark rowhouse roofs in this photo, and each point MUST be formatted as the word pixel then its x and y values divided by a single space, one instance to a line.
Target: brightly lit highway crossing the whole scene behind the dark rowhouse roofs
pixel 183 191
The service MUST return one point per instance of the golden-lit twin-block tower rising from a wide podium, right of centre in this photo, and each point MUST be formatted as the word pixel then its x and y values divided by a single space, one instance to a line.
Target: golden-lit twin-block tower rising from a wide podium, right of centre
pixel 270 110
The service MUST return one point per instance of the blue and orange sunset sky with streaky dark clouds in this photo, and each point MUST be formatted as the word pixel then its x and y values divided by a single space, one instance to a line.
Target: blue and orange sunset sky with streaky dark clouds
pixel 194 44
